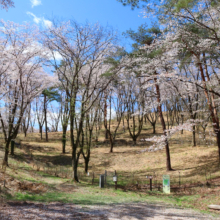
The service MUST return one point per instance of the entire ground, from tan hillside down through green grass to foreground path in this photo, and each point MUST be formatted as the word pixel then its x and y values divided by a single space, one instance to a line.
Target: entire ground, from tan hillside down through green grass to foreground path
pixel 29 189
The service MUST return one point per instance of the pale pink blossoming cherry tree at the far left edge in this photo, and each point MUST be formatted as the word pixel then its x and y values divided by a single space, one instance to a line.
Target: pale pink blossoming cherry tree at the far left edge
pixel 24 79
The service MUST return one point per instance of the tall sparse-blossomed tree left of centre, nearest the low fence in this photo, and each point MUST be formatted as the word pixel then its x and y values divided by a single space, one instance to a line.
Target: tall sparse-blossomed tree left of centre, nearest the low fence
pixel 83 50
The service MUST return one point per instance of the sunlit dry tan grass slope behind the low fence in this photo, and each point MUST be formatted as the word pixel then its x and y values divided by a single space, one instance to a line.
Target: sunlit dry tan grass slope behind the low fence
pixel 194 163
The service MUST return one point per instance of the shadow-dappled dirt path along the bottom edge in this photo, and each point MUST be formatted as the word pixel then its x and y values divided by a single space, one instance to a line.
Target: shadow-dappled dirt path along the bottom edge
pixel 131 211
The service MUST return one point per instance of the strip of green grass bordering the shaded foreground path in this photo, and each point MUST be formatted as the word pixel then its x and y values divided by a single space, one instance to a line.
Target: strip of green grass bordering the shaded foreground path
pixel 90 195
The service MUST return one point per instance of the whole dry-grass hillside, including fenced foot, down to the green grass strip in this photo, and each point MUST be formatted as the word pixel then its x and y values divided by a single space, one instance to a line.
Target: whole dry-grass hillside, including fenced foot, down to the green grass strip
pixel 40 167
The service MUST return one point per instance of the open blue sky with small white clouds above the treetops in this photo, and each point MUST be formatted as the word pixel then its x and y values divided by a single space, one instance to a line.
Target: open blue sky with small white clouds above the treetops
pixel 105 12
